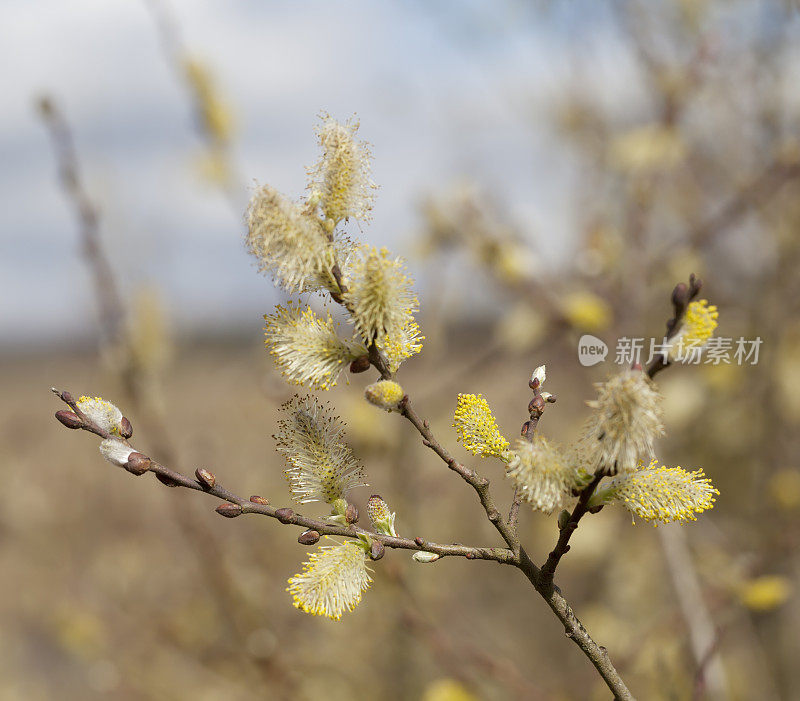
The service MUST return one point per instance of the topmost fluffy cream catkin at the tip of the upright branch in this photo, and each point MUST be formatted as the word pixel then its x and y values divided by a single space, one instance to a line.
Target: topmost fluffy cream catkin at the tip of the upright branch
pixel 341 178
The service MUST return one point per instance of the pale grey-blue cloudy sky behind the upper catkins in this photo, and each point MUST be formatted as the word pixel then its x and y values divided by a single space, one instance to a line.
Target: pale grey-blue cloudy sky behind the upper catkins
pixel 443 90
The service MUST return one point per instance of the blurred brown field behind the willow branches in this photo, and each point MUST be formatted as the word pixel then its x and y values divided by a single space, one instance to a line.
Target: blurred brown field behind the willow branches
pixel 119 587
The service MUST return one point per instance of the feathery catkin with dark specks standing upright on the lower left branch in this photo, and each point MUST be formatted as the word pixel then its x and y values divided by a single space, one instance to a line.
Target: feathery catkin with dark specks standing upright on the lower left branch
pixel 321 466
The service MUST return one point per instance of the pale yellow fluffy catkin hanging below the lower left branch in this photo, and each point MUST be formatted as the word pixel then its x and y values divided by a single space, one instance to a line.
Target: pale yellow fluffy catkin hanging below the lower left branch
pixel 332 581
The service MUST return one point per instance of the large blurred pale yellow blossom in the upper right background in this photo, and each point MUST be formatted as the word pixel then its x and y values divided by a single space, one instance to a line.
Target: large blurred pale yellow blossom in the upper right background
pixel 647 148
